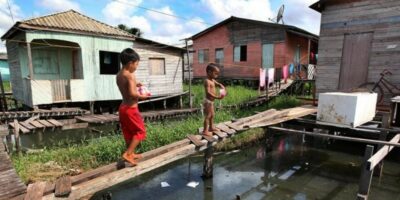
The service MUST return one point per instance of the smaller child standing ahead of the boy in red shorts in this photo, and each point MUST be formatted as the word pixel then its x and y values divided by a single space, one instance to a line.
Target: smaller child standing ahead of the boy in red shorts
pixel 209 86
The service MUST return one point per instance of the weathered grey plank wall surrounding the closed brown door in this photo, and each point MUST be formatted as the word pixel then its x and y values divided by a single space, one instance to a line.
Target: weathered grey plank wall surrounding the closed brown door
pixel 382 17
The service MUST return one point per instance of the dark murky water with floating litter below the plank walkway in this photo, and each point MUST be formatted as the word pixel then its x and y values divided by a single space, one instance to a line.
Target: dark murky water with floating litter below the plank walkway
pixel 287 167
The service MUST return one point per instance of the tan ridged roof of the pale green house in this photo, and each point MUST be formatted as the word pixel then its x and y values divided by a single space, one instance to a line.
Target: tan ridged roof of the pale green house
pixel 70 21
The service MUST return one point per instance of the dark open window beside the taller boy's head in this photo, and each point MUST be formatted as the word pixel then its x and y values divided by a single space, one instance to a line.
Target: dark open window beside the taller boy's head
pixel 109 62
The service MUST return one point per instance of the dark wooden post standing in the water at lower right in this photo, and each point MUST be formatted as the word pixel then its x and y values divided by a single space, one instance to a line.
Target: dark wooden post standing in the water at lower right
pixel 366 175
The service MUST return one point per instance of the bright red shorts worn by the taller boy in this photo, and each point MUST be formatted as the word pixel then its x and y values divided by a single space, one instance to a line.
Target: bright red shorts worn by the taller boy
pixel 132 124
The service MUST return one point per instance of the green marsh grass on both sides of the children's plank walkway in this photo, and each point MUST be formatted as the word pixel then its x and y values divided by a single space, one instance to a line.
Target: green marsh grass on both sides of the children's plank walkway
pixel 54 162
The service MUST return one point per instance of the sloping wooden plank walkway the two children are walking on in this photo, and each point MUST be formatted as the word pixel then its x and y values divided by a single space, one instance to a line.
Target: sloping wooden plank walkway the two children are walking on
pixel 101 178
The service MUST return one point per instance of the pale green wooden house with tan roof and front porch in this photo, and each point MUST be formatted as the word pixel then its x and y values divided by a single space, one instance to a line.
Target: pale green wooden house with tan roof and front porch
pixel 69 57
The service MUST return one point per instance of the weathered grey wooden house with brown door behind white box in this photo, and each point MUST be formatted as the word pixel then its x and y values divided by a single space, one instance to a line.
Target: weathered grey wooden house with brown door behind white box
pixel 358 40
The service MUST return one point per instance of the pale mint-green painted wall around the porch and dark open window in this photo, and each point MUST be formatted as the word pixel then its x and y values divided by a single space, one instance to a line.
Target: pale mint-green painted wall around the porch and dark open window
pixel 95 85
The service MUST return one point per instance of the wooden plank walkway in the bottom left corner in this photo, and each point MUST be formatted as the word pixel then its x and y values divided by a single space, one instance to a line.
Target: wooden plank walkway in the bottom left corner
pixel 10 184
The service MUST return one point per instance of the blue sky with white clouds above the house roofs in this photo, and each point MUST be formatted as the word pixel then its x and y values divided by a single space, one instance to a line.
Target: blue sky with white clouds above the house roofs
pixel 195 15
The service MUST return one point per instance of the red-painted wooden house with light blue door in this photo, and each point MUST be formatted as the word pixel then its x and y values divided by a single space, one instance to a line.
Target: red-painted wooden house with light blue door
pixel 242 46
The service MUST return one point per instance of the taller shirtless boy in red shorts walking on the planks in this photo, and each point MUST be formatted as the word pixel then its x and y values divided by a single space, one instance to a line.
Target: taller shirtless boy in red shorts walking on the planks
pixel 131 121
